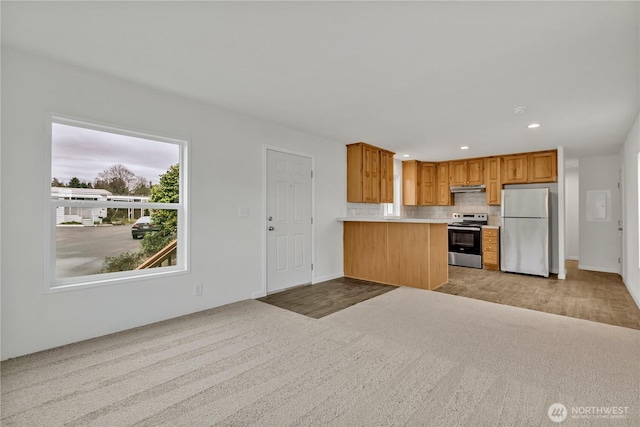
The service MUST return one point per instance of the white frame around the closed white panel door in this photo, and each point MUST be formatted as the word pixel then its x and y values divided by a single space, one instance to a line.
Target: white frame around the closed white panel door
pixel 263 222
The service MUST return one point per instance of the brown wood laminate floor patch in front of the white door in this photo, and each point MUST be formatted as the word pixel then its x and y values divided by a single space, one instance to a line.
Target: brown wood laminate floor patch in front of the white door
pixel 324 298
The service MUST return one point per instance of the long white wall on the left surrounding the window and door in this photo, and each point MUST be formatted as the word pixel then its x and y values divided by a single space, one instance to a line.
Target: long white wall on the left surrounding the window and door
pixel 226 172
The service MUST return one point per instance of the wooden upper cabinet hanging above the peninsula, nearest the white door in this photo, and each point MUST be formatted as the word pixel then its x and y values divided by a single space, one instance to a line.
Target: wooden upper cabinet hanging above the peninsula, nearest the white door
pixel 364 174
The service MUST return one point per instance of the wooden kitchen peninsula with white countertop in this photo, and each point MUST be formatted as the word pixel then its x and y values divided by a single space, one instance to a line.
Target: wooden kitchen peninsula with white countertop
pixel 396 251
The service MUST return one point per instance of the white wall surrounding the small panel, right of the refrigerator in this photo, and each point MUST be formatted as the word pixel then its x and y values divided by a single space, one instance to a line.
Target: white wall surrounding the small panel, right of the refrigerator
pixel 599 239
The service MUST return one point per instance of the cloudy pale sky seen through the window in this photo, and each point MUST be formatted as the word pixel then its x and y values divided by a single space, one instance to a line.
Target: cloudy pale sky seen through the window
pixel 84 153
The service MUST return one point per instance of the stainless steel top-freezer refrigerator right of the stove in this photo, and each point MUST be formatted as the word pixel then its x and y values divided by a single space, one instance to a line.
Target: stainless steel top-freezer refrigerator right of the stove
pixel 524 235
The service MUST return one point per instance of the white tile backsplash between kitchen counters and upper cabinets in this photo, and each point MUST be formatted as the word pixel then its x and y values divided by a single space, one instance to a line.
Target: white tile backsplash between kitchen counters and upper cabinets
pixel 464 202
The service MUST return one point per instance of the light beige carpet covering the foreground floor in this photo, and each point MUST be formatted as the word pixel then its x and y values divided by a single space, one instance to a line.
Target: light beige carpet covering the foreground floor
pixel 408 357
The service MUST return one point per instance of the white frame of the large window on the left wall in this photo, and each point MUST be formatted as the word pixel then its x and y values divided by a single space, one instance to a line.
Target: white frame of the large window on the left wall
pixel 52 284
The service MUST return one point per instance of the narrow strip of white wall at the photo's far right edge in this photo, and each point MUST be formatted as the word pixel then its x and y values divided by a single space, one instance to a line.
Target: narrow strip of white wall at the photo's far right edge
pixel 631 263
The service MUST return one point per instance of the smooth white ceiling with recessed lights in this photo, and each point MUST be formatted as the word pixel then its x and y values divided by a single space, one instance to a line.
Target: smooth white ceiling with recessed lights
pixel 418 78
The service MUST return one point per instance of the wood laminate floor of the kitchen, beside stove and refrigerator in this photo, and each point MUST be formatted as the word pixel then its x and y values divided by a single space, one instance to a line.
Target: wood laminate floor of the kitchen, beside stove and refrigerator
pixel 589 295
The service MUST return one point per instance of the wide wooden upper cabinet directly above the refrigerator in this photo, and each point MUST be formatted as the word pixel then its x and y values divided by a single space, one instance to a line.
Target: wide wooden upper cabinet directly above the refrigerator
pixel 525 168
